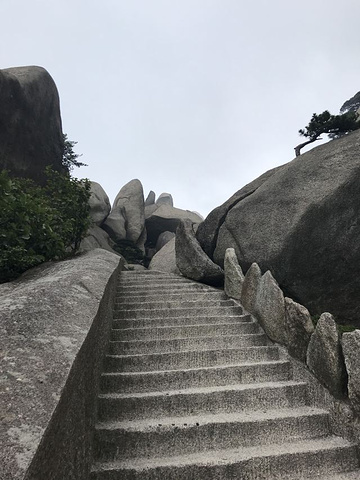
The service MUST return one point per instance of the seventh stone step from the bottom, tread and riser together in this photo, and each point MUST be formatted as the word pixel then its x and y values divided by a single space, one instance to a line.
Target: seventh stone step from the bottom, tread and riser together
pixel 184 331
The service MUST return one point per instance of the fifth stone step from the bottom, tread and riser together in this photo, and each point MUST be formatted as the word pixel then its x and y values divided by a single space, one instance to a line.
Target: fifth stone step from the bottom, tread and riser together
pixel 187 360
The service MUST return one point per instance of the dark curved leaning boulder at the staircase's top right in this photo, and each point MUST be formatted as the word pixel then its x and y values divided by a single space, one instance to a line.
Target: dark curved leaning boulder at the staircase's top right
pixel 191 260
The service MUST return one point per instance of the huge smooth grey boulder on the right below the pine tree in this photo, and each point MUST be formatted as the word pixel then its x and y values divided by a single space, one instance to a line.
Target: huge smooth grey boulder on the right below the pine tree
pixel 302 222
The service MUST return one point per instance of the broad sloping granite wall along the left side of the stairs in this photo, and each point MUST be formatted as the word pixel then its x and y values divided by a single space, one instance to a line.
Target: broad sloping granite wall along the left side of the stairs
pixel 52 339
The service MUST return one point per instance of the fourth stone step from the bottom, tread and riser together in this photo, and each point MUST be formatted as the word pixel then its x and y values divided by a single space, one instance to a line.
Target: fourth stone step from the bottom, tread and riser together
pixel 132 382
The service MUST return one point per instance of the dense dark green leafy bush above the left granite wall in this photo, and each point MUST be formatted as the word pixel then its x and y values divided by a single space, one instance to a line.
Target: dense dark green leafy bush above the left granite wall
pixel 40 223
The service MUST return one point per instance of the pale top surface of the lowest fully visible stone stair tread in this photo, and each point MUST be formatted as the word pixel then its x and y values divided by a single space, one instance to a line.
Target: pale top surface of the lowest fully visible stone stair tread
pixel 227 456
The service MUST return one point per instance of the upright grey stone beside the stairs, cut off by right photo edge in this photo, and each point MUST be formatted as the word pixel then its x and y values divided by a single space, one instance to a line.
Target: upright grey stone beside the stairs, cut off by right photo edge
pixel 351 350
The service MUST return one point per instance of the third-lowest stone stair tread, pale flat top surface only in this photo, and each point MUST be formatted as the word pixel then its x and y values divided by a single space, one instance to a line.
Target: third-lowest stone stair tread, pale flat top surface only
pixel 199 390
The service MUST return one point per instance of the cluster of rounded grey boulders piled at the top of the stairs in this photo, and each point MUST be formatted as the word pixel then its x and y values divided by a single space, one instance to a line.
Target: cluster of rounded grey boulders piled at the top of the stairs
pixel 150 226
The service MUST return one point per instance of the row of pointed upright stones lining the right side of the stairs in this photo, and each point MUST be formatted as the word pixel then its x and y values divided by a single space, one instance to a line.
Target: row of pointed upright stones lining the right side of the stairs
pixel 332 358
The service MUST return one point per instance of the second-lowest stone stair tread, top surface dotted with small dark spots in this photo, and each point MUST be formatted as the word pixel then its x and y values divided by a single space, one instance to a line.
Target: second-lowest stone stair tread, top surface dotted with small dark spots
pixel 150 424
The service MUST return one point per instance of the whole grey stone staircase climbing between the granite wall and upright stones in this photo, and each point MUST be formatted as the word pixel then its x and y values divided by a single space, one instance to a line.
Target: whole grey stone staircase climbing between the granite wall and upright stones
pixel 193 389
